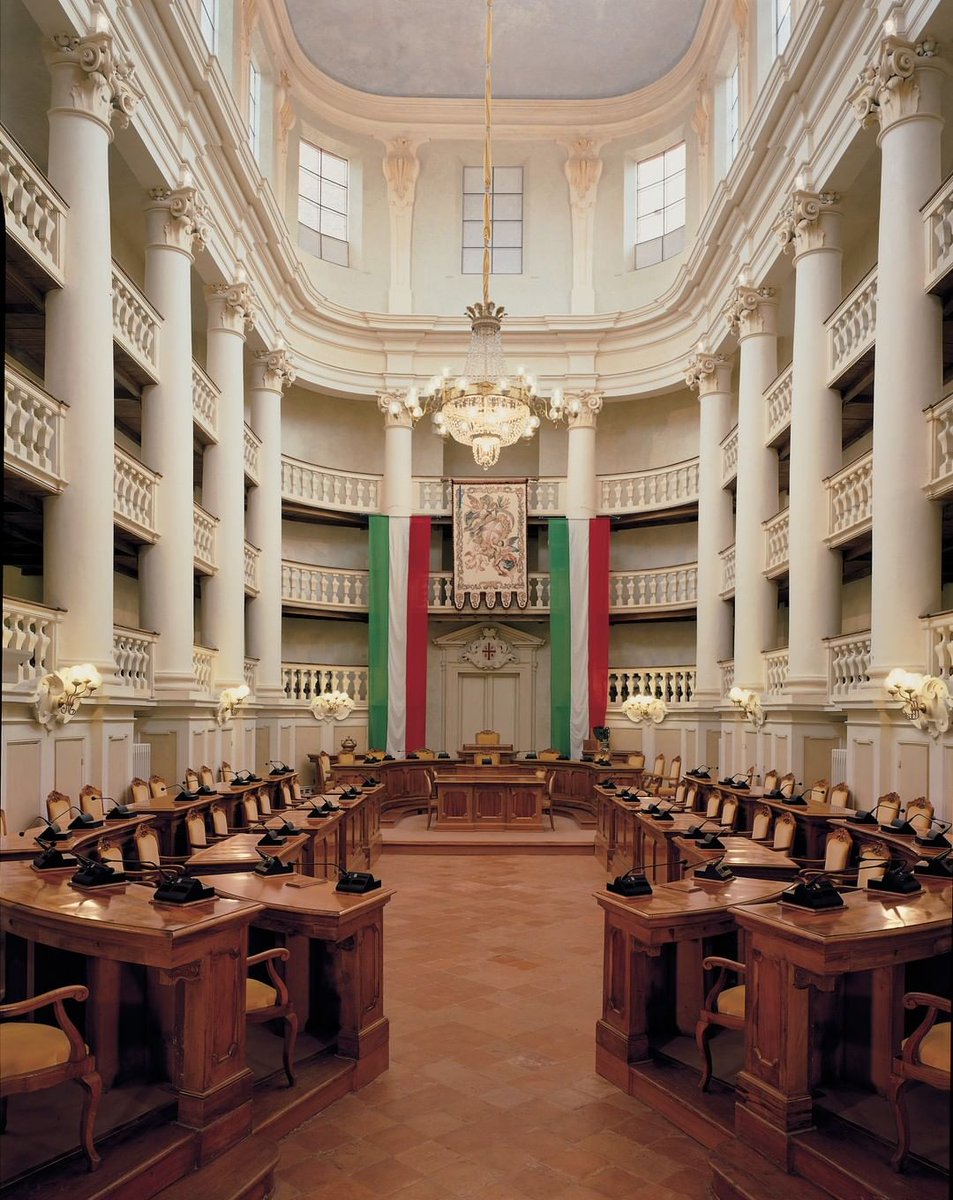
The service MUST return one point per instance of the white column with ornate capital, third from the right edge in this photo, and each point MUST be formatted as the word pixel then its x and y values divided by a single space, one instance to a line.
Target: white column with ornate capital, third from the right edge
pixel 752 314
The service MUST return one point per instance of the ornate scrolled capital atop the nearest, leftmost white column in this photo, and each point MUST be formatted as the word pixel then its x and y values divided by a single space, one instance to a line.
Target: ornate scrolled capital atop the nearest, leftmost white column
pixel 103 85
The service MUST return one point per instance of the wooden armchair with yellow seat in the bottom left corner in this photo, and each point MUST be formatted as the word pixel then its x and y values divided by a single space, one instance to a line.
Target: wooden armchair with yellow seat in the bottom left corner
pixel 35 1057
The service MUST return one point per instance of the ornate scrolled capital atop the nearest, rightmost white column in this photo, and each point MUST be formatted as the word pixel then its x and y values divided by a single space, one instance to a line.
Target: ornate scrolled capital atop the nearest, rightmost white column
pixel 891 88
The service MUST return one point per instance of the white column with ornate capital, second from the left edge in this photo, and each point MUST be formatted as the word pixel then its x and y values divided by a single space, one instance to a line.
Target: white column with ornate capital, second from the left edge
pixel 176 224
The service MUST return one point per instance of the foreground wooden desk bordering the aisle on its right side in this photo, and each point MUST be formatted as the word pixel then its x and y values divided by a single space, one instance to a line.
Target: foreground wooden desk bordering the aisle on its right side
pixel 684 917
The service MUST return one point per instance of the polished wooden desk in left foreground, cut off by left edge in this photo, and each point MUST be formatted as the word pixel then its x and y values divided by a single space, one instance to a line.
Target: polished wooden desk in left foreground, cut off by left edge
pixel 199 959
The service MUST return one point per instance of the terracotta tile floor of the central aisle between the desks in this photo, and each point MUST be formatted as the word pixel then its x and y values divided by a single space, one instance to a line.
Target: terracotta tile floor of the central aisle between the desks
pixel 493 981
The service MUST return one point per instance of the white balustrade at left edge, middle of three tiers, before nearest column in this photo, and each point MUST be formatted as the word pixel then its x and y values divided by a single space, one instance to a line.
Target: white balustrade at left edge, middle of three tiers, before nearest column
pixel 34 425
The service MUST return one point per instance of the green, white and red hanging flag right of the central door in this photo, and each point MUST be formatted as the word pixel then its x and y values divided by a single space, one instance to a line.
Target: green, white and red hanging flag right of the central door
pixel 579 629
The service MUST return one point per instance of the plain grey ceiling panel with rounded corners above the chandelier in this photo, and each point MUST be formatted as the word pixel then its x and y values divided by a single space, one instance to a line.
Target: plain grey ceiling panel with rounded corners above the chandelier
pixel 543 50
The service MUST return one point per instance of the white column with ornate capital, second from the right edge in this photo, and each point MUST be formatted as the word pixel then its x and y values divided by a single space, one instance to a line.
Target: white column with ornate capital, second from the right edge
pixel 811 227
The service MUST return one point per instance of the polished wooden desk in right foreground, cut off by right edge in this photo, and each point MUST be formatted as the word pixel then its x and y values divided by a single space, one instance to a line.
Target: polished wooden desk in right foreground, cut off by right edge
pixel 794 956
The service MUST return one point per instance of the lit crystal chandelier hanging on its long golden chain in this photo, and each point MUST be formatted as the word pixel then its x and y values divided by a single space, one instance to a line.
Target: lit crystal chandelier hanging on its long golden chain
pixel 484 409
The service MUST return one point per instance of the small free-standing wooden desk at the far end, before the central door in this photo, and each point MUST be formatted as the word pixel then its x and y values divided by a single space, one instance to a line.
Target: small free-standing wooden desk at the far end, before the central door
pixel 488 799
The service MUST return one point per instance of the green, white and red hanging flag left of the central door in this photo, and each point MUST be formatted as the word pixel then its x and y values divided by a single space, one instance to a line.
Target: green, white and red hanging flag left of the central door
pixel 398 637
